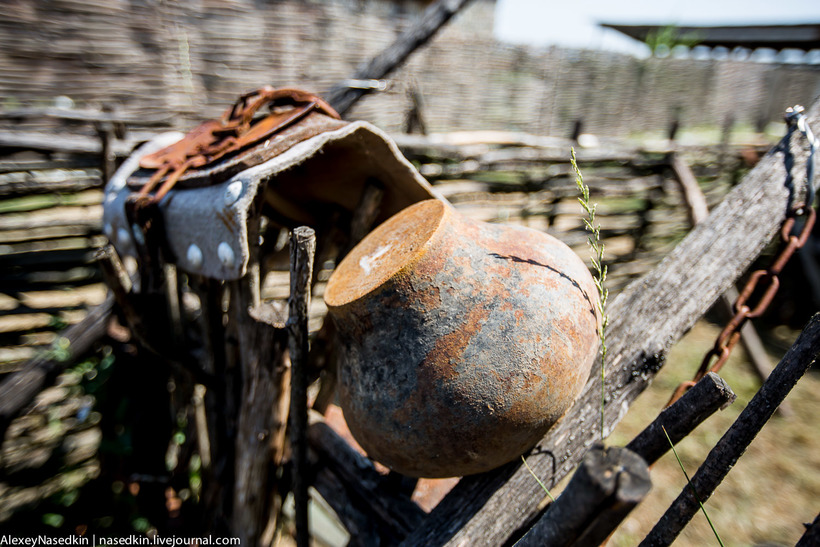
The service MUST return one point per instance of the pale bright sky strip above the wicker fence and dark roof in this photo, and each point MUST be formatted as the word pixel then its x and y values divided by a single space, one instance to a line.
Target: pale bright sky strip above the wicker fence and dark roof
pixel 573 23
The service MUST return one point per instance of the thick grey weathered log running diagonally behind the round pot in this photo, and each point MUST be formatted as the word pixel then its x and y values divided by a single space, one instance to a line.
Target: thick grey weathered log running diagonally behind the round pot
pixel 646 320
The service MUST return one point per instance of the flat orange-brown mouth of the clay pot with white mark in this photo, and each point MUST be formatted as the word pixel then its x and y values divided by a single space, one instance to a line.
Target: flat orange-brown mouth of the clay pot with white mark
pixel 384 252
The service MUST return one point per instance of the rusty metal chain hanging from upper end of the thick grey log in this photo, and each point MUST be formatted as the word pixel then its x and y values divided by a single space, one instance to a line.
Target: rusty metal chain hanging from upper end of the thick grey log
pixel 763 284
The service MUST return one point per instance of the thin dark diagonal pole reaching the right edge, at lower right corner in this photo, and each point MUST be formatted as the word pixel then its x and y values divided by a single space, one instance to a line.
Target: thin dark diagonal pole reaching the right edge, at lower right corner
pixel 734 442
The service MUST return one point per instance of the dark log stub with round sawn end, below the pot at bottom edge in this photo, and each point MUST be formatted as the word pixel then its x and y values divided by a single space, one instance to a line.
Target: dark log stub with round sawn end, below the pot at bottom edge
pixel 609 483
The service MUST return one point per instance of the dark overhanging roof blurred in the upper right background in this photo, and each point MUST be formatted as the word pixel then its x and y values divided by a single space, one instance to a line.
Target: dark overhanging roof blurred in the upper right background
pixel 777 37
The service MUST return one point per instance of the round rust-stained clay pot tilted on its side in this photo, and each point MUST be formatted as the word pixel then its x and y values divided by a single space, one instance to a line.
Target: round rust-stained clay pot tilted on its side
pixel 461 342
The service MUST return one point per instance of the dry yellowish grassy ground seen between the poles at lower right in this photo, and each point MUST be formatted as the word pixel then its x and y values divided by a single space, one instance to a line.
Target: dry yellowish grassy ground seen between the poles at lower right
pixel 773 489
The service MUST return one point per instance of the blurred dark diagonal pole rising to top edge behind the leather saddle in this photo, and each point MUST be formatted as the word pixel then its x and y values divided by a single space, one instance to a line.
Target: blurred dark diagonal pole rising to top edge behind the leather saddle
pixel 342 97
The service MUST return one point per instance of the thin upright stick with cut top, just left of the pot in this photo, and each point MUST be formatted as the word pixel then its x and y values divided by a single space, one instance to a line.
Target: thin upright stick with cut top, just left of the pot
pixel 302 247
